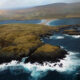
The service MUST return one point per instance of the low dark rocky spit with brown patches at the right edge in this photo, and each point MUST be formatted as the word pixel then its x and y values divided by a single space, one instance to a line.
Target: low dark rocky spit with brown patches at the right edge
pixel 69 29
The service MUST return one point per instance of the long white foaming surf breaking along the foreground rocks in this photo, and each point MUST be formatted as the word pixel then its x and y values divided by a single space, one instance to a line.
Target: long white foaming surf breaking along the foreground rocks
pixel 36 71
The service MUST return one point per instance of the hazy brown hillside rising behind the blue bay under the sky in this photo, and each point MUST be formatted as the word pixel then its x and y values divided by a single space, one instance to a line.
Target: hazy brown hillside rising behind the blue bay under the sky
pixel 56 10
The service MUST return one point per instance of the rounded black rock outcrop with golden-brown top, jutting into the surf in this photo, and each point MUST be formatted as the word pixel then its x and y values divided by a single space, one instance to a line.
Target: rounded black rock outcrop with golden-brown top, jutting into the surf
pixel 47 52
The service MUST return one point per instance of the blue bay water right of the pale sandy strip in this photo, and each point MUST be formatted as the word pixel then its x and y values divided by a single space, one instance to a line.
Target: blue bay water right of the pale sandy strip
pixel 65 21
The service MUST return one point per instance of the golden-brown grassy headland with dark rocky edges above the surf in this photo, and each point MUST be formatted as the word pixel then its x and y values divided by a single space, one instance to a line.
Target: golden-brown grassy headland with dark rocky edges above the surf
pixel 24 40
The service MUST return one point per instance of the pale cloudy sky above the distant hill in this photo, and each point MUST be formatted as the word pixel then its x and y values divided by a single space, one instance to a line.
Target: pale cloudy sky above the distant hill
pixel 13 4
